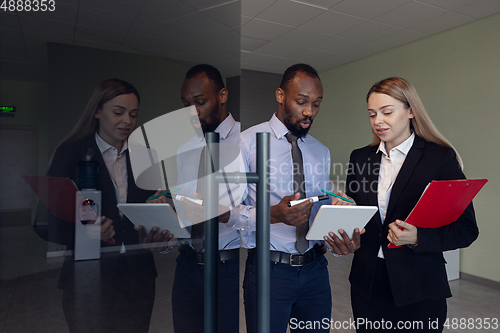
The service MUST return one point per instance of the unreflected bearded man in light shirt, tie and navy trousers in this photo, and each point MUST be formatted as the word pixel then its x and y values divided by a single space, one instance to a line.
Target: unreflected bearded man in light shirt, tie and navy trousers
pixel 299 168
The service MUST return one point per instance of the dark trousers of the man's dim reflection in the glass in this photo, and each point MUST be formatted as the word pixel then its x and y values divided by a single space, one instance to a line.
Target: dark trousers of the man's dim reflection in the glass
pixel 188 296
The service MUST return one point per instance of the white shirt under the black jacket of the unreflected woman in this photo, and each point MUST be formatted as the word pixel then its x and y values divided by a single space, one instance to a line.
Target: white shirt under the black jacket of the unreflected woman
pixel 389 170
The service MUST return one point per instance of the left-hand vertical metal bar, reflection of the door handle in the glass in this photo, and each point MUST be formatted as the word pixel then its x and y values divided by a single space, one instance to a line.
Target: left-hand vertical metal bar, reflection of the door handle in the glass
pixel 211 234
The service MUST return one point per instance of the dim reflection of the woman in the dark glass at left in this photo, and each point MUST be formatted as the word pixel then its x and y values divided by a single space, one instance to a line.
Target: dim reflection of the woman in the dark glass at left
pixel 115 293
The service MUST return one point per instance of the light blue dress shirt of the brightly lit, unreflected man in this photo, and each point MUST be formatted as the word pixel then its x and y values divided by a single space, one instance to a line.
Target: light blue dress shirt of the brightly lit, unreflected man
pixel 316 159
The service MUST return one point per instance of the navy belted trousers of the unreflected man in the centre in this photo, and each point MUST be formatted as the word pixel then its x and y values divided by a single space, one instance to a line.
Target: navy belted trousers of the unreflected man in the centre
pixel 298 295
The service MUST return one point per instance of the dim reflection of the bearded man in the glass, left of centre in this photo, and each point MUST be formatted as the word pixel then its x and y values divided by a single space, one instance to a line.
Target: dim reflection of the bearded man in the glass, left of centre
pixel 203 87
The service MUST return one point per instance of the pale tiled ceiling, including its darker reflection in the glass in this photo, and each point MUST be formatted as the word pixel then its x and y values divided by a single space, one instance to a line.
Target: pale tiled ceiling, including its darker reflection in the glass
pixel 263 35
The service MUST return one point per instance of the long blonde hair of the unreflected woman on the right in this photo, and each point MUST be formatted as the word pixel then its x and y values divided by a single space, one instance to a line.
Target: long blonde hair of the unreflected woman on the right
pixel 421 123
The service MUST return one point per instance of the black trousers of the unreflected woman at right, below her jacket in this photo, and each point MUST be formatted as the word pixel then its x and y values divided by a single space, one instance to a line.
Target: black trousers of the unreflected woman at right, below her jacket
pixel 380 314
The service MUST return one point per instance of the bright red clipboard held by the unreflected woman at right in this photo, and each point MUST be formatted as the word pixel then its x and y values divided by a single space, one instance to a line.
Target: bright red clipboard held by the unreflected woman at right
pixel 442 202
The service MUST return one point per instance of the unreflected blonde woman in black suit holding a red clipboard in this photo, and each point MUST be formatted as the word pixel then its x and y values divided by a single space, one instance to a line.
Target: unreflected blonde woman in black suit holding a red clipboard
pixel 403 286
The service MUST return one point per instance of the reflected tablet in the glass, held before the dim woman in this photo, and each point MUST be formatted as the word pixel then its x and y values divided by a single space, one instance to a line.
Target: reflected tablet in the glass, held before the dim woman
pixel 150 215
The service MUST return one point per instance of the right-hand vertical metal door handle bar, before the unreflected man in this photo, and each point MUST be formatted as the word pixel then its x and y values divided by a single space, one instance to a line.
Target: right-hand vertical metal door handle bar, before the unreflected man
pixel 263 216
